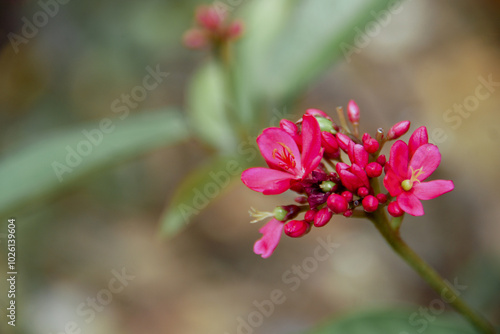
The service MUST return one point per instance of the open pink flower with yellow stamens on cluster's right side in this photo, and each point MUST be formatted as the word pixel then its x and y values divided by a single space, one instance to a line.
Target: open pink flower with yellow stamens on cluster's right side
pixel 406 172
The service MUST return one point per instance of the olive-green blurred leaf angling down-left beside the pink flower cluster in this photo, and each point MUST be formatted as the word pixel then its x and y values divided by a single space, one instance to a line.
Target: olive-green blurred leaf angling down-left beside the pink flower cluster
pixel 198 190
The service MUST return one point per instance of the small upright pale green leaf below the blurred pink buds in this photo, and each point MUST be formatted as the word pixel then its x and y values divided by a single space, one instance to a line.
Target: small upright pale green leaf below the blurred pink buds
pixel 208 103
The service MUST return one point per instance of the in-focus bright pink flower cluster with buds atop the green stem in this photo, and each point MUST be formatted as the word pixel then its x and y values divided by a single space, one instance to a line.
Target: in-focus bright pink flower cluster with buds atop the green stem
pixel 335 171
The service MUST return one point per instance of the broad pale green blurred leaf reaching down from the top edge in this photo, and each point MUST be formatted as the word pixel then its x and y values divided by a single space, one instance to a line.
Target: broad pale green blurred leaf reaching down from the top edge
pixel 309 42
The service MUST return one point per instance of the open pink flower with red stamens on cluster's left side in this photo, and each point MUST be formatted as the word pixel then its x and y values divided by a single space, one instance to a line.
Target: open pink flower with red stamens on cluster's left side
pixel 285 161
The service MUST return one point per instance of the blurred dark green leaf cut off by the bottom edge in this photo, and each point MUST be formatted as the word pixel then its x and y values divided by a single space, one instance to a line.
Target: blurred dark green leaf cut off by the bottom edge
pixel 394 322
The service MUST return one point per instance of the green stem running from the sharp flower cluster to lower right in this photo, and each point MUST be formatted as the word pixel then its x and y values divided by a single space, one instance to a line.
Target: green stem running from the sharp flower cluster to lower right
pixel 379 219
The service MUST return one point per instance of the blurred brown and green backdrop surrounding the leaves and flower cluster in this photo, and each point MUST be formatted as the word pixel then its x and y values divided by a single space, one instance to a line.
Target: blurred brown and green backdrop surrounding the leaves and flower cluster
pixel 430 57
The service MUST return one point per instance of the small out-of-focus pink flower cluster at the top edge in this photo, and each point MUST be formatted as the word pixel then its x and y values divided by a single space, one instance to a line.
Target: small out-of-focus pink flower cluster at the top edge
pixel 212 28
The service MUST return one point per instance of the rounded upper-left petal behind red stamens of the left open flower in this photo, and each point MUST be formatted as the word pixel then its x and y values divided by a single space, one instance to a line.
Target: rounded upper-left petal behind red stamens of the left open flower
pixel 275 143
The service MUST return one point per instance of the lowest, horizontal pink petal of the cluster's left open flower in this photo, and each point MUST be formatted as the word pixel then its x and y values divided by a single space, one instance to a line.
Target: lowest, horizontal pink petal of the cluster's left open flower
pixel 267 181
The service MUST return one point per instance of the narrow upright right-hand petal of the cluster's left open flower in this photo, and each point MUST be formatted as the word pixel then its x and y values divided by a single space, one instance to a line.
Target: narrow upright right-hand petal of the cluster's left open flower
pixel 311 144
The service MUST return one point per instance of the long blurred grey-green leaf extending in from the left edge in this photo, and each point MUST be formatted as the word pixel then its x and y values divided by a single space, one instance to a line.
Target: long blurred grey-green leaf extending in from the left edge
pixel 58 161
